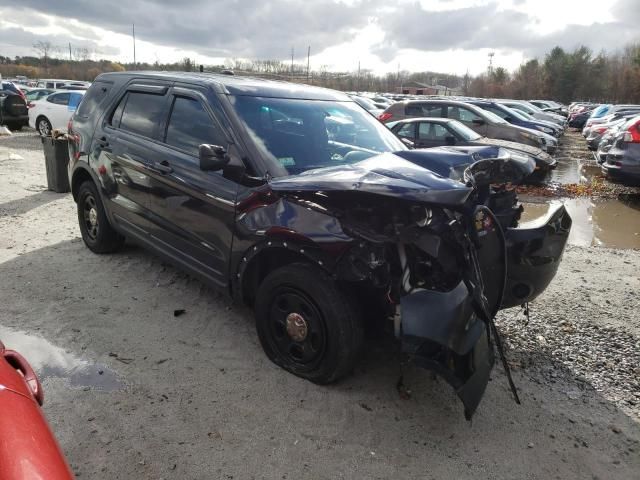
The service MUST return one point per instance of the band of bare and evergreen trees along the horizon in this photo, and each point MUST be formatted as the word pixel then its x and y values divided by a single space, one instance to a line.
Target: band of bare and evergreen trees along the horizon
pixel 560 75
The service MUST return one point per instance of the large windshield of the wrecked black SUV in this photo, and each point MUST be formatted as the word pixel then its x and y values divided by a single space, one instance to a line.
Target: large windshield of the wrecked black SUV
pixel 301 135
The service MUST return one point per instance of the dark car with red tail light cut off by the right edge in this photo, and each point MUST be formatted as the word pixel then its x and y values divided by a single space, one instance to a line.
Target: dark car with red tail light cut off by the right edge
pixel 623 158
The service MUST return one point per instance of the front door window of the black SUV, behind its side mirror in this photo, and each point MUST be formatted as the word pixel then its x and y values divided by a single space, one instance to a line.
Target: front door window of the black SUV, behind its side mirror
pixel 190 126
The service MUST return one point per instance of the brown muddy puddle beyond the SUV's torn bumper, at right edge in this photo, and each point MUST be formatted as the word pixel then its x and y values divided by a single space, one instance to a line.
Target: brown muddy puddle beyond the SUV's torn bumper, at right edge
pixel 596 222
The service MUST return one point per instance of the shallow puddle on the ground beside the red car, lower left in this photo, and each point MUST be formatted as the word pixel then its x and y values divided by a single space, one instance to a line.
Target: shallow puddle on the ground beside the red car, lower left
pixel 50 361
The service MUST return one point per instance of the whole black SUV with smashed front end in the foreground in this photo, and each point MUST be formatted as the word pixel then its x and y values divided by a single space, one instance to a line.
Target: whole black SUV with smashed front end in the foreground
pixel 297 201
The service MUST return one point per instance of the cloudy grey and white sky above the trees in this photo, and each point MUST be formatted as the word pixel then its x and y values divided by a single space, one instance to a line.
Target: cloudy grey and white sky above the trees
pixel 451 36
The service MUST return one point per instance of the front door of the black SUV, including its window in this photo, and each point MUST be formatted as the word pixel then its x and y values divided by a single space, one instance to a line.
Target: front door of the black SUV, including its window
pixel 193 211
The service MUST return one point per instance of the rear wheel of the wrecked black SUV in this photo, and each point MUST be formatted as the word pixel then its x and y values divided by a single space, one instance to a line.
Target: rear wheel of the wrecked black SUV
pixel 97 233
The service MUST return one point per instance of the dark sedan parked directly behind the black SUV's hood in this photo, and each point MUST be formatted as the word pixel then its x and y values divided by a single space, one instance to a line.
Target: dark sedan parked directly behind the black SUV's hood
pixel 439 132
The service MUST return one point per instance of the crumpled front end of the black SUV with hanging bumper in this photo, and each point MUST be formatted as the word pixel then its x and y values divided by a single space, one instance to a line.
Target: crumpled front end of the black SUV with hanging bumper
pixel 439 271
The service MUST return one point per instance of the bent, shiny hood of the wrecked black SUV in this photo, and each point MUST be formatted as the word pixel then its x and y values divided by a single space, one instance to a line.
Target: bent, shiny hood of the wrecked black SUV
pixel 386 174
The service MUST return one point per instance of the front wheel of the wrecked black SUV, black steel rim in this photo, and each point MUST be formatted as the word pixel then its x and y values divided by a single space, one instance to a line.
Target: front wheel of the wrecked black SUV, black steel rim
pixel 306 325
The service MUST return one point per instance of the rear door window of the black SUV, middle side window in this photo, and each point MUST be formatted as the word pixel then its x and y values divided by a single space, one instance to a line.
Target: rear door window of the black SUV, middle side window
pixel 141 113
